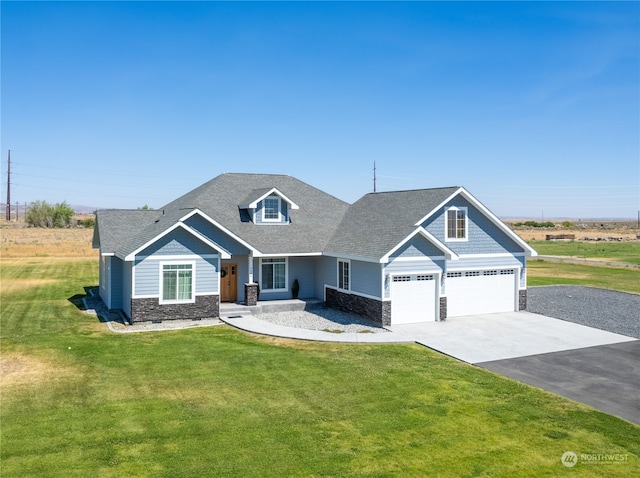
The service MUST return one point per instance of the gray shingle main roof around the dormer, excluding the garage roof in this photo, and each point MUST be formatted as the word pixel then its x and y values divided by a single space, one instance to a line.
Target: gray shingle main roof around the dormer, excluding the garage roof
pixel 219 200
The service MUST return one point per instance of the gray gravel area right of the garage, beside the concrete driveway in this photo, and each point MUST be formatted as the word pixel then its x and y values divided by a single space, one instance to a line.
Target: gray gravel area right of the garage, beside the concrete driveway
pixel 613 311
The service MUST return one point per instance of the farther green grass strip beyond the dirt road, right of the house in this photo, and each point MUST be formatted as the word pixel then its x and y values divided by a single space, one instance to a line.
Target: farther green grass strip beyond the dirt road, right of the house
pixel 628 252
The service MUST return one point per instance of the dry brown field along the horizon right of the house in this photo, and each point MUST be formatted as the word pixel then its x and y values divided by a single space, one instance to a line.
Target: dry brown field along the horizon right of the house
pixel 589 230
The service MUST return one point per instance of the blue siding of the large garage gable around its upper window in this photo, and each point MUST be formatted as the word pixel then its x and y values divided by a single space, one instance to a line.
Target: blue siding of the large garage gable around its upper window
pixel 484 236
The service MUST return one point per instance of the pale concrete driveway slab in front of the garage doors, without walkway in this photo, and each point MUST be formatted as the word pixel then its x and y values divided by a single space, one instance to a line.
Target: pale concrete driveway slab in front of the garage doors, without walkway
pixel 490 337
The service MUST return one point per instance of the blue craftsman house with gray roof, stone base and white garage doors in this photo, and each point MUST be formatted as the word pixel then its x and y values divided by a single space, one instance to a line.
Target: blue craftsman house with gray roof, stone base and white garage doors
pixel 393 257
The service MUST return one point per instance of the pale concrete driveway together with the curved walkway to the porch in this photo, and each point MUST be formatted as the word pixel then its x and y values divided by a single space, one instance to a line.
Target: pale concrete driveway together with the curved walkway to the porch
pixel 472 339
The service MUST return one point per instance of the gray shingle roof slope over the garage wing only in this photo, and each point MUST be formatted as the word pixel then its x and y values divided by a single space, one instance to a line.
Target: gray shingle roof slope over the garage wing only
pixel 378 222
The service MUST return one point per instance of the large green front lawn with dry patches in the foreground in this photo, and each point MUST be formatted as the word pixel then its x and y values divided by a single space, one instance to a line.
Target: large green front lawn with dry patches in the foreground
pixel 218 402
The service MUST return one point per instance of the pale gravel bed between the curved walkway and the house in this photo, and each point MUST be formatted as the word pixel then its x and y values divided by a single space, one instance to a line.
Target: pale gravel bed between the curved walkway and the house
pixel 322 318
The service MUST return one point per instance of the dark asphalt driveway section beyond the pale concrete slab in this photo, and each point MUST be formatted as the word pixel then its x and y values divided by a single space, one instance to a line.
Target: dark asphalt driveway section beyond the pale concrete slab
pixel 606 377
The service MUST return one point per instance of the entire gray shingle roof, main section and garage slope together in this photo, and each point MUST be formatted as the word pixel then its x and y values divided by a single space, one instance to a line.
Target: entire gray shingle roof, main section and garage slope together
pixel 371 227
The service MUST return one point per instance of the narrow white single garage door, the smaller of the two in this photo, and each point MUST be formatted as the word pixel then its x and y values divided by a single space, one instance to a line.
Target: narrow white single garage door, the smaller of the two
pixel 413 298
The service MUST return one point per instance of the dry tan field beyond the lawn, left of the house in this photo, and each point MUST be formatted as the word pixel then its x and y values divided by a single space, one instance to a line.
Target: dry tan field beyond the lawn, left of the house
pixel 38 242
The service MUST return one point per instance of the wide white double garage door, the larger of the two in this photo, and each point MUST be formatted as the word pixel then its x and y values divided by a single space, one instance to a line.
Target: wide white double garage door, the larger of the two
pixel 480 292
